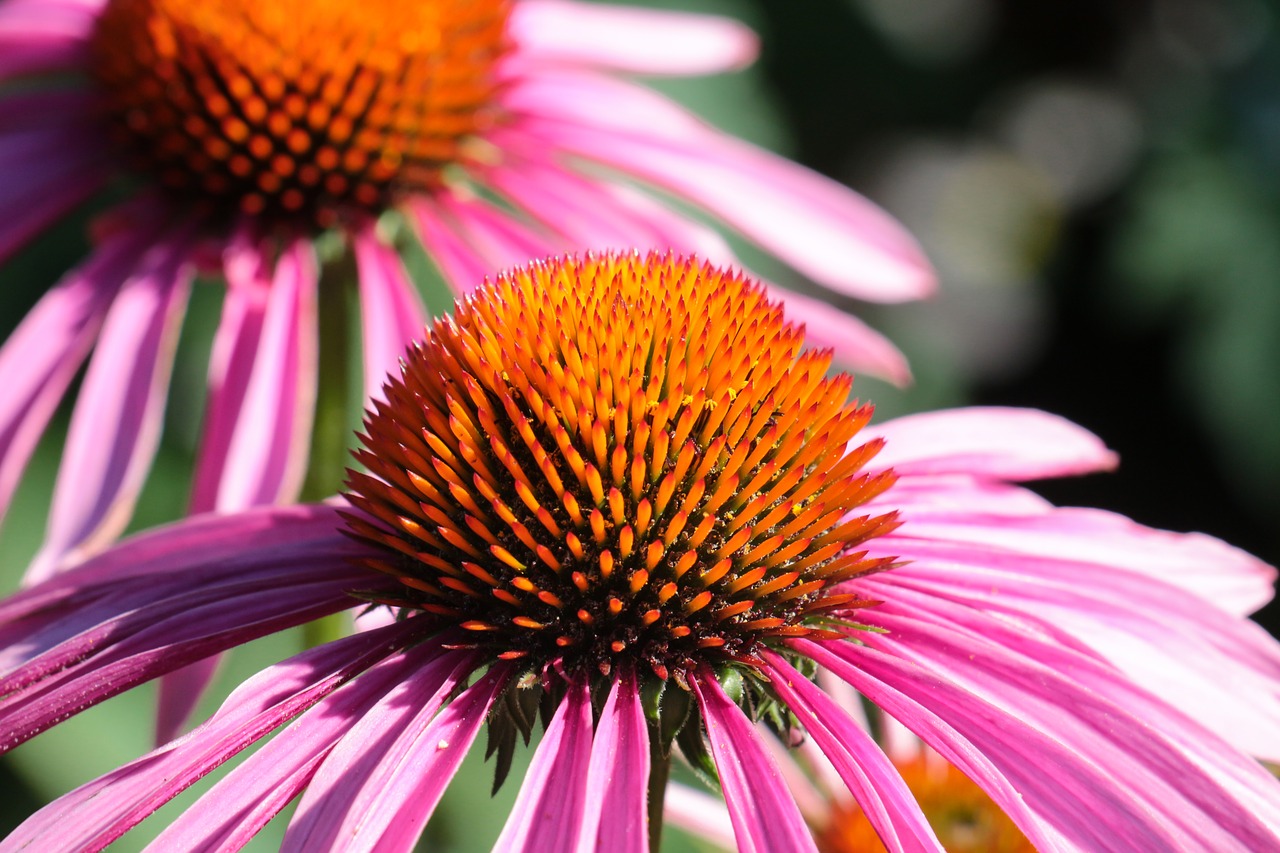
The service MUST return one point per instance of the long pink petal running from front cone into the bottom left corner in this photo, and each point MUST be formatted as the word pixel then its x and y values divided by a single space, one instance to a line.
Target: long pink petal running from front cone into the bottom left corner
pixel 98 813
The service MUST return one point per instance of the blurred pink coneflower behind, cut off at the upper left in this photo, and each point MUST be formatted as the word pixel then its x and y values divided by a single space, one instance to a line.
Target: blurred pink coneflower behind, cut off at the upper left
pixel 243 131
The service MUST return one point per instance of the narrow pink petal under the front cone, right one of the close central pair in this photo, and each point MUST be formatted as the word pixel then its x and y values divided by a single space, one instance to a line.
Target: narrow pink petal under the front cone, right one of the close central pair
pixel 616 815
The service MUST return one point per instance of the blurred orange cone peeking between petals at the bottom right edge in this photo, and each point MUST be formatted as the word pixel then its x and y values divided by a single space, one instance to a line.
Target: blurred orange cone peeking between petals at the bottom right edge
pixel 963 816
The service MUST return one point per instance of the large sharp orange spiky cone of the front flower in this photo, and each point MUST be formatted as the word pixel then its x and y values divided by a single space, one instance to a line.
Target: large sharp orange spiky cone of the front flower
pixel 620 460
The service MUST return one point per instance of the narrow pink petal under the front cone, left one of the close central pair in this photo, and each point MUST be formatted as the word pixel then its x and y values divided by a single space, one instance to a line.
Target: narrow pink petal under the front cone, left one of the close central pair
pixel 550 811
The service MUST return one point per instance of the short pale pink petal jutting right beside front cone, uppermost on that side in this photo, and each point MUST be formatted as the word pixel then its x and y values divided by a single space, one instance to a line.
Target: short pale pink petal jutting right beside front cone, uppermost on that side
pixel 999 444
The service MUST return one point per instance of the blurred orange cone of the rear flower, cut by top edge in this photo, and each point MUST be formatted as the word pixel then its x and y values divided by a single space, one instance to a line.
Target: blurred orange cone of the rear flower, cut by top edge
pixel 298 108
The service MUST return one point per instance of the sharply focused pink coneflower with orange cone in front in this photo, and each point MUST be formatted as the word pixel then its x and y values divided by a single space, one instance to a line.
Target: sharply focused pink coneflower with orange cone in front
pixel 612 494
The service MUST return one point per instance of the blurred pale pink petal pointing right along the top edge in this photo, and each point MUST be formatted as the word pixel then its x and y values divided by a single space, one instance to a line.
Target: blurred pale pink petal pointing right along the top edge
pixel 641 42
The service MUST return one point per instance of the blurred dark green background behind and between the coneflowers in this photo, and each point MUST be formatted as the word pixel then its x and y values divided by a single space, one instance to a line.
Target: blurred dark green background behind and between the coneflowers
pixel 1099 185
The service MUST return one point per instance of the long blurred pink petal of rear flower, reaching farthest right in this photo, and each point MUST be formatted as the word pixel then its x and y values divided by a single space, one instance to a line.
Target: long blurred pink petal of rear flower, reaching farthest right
pixel 815 225
